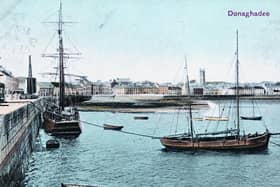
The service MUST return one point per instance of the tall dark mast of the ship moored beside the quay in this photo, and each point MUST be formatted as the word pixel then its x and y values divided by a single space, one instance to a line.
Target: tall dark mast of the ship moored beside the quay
pixel 61 60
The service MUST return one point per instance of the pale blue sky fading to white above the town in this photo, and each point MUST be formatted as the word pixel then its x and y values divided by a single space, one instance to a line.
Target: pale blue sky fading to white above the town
pixel 145 39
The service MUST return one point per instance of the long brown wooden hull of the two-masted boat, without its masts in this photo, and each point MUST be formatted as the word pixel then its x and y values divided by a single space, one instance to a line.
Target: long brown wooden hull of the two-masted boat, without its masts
pixel 251 142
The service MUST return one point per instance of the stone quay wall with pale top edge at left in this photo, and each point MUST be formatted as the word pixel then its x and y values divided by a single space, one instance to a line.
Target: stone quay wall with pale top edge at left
pixel 19 125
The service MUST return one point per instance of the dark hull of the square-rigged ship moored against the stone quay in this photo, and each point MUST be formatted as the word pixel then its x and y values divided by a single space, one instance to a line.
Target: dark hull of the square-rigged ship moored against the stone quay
pixel 62 128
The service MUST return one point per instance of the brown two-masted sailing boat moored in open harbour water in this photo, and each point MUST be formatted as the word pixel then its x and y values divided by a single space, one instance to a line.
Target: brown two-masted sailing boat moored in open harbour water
pixel 229 139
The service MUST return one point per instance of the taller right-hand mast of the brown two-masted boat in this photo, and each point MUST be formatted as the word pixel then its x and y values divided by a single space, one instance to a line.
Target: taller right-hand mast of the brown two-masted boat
pixel 237 86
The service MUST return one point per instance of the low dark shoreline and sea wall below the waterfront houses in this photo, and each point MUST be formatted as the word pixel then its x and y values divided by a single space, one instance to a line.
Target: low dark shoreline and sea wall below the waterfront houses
pixel 164 104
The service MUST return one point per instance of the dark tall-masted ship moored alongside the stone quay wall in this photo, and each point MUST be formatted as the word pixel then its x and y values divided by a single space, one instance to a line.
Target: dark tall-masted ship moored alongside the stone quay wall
pixel 59 120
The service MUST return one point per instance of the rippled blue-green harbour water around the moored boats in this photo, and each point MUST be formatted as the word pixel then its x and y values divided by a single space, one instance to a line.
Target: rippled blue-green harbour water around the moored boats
pixel 108 158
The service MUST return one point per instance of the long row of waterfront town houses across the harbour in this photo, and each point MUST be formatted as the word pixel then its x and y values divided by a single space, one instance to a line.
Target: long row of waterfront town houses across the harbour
pixel 127 87
